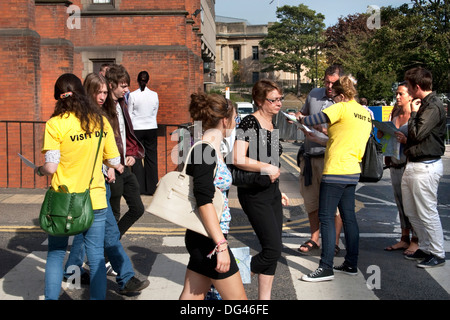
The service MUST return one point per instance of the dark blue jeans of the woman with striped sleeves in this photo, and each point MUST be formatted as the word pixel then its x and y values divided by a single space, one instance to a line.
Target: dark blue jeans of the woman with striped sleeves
pixel 331 197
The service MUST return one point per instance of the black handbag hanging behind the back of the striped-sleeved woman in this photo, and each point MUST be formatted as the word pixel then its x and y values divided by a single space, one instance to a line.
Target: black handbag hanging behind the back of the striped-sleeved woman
pixel 372 161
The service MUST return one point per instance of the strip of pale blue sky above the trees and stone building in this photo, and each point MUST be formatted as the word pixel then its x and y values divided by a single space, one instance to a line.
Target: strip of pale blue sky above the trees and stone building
pixel 262 12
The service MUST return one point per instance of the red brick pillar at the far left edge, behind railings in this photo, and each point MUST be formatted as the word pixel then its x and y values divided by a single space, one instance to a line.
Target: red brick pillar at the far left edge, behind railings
pixel 20 70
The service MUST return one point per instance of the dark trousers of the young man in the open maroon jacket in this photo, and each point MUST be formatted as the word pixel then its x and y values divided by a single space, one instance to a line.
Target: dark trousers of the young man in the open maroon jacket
pixel 127 186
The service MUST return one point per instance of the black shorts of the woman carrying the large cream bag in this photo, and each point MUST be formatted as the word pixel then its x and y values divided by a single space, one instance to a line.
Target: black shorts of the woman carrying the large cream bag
pixel 199 247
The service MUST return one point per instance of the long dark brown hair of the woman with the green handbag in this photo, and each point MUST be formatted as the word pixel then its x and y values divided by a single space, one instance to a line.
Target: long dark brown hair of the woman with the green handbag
pixel 70 96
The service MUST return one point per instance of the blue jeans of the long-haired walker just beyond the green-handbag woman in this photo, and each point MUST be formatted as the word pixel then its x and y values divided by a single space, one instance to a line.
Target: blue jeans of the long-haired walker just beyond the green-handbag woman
pixel 113 249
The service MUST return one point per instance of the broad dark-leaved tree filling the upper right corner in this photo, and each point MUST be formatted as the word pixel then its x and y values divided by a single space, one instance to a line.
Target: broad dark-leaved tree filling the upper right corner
pixel 408 37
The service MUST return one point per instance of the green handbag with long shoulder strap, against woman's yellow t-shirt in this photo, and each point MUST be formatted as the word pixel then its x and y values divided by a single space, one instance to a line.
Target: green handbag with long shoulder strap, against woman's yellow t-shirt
pixel 67 214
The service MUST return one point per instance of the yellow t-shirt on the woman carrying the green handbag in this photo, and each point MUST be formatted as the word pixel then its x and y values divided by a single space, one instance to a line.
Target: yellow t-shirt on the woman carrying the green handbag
pixel 78 151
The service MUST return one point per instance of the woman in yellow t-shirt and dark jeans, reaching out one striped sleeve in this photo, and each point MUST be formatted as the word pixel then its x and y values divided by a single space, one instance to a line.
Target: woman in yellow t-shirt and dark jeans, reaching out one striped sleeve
pixel 349 127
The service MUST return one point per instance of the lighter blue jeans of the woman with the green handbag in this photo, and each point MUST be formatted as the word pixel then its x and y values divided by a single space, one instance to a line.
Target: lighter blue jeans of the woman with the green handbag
pixel 93 242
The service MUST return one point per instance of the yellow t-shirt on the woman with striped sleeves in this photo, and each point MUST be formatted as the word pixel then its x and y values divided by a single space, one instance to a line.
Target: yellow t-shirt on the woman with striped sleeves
pixel 348 132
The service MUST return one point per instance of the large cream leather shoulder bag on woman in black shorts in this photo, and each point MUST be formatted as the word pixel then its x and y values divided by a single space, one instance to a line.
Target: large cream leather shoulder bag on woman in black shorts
pixel 174 200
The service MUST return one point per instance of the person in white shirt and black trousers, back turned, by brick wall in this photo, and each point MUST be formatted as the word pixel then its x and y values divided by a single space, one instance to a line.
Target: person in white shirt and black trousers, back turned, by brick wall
pixel 143 108
